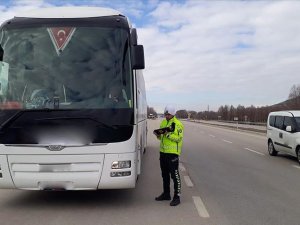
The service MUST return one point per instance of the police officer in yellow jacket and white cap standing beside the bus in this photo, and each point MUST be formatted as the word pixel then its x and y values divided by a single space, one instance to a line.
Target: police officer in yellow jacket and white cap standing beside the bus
pixel 170 149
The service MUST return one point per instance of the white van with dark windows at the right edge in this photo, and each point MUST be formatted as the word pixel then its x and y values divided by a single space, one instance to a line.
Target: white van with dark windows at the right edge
pixel 283 132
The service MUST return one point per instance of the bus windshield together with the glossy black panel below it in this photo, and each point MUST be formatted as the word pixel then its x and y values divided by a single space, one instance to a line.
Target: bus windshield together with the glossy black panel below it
pixel 57 81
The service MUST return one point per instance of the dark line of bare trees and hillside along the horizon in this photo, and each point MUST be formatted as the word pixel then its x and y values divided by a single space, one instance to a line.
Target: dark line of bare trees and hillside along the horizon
pixel 242 113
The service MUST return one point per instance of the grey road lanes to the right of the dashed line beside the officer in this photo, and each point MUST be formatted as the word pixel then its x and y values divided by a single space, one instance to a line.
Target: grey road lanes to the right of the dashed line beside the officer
pixel 238 181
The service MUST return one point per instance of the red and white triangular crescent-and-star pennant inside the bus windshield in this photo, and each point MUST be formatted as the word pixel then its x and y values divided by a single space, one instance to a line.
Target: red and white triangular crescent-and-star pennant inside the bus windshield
pixel 60 37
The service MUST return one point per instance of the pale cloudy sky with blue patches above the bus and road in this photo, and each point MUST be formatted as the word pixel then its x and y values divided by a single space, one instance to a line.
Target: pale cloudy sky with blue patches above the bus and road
pixel 208 53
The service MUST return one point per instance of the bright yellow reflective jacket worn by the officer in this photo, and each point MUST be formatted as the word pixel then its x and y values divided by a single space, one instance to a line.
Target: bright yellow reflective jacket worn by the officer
pixel 171 142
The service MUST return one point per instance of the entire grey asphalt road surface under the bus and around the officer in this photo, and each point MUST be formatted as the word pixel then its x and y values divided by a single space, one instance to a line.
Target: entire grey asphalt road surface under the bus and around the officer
pixel 228 178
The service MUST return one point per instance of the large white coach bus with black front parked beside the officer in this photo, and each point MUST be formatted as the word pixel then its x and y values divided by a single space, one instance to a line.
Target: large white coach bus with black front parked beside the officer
pixel 73 103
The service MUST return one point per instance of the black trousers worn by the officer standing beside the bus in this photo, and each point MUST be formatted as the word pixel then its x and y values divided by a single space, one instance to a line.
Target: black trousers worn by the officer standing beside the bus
pixel 169 166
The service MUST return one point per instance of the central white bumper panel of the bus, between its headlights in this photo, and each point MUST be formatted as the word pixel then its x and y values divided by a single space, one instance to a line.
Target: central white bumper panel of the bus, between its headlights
pixel 70 172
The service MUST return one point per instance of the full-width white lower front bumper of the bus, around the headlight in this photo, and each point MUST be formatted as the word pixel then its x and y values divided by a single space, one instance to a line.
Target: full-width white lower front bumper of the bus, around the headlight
pixel 66 172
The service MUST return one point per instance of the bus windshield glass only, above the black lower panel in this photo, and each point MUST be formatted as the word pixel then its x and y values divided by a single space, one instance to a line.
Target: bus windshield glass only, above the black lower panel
pixel 65 68
